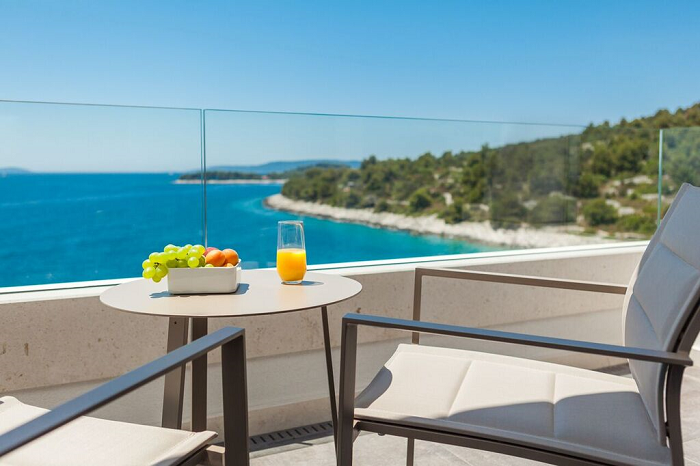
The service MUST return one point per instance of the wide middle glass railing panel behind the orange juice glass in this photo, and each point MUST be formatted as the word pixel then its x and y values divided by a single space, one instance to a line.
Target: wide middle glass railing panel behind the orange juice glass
pixel 387 188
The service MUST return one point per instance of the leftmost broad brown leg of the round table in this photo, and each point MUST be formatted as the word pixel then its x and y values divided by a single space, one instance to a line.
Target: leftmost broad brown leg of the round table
pixel 175 380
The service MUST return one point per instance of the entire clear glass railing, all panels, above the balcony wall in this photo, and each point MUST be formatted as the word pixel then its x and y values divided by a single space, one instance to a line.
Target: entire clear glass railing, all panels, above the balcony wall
pixel 97 200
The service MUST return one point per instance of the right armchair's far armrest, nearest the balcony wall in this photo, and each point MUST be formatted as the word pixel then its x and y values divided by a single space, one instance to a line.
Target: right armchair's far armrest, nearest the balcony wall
pixel 522 280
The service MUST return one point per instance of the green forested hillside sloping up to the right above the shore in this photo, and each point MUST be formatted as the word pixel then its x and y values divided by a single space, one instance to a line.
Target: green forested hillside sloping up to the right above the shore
pixel 604 178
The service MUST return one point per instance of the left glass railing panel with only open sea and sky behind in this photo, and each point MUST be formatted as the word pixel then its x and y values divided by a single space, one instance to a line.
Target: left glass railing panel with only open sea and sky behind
pixel 86 192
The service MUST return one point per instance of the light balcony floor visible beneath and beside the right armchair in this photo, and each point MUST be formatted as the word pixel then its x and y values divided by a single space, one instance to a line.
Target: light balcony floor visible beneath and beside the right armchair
pixel 373 450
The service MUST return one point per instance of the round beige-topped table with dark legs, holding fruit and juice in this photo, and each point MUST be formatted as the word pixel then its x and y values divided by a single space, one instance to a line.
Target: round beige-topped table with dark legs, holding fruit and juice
pixel 259 293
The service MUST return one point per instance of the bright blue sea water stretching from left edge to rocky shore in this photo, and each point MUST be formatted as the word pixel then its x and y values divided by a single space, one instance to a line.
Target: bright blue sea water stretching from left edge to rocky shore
pixel 75 227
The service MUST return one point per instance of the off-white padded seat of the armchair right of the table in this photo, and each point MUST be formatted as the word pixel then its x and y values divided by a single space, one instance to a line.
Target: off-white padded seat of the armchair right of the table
pixel 528 402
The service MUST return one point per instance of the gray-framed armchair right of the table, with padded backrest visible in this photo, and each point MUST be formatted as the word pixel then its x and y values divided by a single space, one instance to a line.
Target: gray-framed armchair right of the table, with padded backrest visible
pixel 542 411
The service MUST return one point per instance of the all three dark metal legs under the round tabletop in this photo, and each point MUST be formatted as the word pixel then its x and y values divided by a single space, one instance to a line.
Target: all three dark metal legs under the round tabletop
pixel 173 393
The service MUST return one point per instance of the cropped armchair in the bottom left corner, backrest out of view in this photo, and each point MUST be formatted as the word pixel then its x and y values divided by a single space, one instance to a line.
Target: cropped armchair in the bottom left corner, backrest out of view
pixel 63 437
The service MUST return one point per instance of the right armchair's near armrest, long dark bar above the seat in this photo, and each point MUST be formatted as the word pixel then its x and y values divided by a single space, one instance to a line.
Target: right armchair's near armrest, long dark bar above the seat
pixel 640 354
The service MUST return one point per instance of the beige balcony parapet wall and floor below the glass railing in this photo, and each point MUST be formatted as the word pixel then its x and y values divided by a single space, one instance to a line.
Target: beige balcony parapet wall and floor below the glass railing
pixel 55 348
